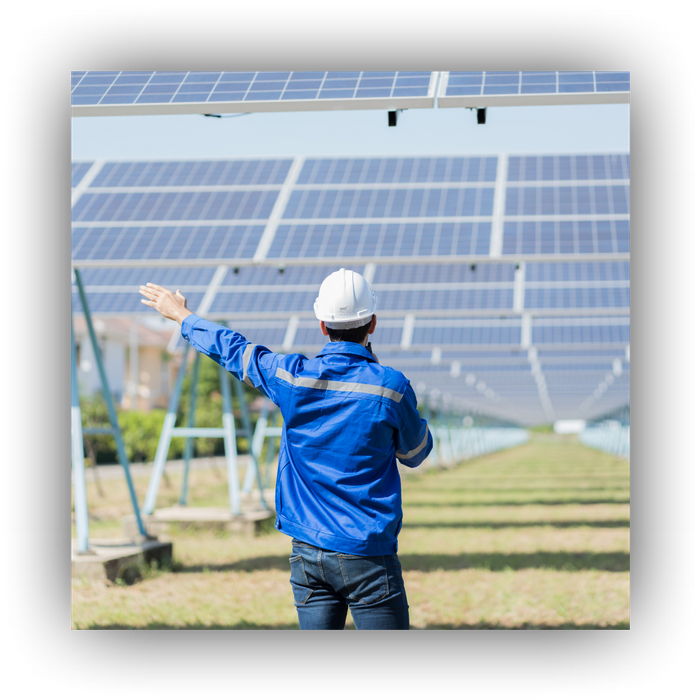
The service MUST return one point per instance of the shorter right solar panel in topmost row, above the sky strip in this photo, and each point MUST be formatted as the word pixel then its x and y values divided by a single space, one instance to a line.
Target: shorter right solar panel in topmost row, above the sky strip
pixel 487 88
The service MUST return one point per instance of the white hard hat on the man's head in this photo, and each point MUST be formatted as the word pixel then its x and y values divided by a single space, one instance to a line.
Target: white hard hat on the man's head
pixel 345 300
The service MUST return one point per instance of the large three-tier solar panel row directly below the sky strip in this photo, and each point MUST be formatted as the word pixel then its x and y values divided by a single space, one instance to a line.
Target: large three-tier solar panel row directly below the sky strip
pixel 359 209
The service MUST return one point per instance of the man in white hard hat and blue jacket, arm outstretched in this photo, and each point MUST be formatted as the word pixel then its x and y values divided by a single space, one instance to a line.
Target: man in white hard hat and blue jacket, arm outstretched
pixel 346 421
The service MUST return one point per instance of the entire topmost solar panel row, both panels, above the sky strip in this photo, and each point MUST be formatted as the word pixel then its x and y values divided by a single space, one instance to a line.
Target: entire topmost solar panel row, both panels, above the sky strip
pixel 96 93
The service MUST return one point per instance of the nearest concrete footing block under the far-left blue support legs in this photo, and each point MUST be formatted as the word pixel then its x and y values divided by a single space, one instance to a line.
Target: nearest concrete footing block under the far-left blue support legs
pixel 117 558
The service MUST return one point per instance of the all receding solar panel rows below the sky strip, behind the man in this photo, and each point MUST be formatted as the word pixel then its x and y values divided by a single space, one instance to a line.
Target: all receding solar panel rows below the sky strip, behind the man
pixel 503 281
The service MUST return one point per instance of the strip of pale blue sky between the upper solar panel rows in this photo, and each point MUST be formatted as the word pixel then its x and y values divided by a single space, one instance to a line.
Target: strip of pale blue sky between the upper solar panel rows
pixel 541 130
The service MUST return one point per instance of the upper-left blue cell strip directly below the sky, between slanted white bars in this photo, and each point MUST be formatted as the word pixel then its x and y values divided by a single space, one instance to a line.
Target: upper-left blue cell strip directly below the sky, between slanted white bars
pixel 191 174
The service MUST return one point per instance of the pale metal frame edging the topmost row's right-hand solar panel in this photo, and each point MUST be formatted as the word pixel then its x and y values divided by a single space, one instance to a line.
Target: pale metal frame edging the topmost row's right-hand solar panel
pixel 532 99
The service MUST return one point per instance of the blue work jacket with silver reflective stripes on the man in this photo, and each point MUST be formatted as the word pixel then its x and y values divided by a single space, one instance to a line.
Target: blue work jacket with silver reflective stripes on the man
pixel 347 419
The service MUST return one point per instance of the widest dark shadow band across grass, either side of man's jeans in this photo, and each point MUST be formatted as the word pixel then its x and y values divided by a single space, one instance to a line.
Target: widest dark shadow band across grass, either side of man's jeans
pixel 558 561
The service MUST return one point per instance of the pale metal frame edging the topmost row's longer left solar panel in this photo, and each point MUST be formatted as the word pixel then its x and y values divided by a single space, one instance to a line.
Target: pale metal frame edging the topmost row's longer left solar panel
pixel 259 106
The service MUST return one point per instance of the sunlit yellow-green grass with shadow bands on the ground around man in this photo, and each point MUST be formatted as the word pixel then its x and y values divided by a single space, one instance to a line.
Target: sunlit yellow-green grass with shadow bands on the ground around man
pixel 532 538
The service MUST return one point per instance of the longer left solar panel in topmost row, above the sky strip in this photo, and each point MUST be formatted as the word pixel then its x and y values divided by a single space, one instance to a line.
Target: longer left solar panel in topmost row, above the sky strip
pixel 95 93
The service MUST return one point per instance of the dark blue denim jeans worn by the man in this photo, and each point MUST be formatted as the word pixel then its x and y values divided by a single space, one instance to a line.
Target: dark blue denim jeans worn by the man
pixel 325 583
